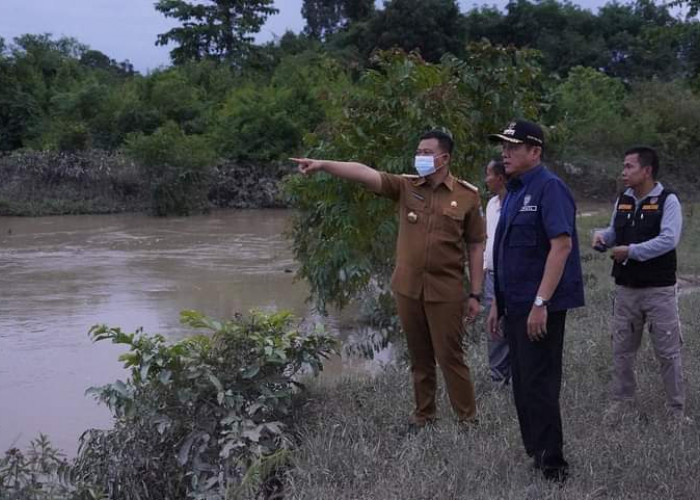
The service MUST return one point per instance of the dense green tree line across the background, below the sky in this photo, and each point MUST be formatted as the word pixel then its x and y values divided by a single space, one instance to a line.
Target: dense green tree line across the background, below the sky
pixel 58 94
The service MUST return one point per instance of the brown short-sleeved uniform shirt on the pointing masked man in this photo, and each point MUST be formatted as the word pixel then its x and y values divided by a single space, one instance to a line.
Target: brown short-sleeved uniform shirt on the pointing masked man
pixel 435 225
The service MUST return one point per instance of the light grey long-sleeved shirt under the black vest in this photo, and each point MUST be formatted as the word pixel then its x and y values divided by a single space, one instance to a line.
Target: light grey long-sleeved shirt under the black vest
pixel 671 227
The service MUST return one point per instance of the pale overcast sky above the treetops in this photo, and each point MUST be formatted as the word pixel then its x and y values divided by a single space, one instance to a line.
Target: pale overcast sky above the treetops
pixel 127 29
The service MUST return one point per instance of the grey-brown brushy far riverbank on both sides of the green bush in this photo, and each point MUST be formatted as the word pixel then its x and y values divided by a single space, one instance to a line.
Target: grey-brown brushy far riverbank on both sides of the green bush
pixel 101 182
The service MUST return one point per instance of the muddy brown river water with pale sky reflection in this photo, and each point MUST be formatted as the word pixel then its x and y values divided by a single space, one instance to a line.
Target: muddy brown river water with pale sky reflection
pixel 61 275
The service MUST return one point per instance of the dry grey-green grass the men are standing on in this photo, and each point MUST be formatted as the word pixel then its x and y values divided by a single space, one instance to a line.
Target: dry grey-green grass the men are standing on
pixel 353 445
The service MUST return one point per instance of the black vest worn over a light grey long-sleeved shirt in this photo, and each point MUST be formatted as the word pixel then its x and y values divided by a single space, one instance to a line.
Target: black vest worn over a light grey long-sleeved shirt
pixel 637 226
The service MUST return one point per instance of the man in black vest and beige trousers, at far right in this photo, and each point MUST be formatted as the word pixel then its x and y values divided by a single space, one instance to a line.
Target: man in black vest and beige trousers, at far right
pixel 643 235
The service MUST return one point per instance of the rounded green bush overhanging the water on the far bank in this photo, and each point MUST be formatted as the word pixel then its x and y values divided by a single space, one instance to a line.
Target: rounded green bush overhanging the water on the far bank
pixel 176 167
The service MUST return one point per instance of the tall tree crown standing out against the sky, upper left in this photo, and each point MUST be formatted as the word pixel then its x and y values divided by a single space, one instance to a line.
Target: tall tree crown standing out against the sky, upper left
pixel 213 29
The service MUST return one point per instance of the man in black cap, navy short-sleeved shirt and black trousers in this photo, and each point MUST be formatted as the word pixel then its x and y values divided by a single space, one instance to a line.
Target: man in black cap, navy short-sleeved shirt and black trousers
pixel 537 279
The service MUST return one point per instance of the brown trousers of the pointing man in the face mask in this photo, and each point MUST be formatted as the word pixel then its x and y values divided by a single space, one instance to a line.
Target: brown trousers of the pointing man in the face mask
pixel 434 332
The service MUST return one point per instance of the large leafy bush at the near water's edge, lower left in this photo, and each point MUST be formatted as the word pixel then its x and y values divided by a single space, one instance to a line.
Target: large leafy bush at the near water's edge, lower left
pixel 204 417
